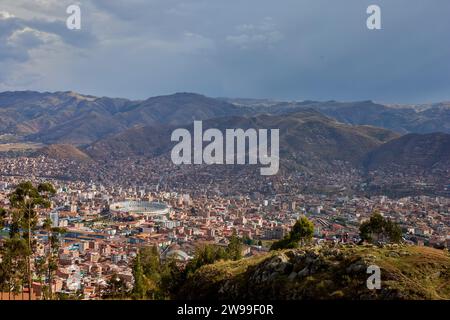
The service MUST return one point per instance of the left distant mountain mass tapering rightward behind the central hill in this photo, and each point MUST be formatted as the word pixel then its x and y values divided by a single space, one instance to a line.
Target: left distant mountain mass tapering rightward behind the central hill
pixel 69 117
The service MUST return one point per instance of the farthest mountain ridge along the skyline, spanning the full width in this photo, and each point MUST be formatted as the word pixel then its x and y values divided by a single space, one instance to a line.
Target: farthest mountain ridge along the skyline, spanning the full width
pixel 72 118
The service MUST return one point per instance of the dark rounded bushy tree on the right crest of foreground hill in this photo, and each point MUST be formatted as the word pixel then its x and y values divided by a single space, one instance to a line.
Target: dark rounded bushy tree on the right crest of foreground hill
pixel 378 228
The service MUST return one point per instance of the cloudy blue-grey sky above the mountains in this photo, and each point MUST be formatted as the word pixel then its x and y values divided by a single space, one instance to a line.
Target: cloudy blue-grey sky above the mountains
pixel 279 49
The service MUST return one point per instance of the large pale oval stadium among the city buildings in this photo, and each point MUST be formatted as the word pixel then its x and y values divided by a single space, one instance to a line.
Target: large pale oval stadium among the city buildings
pixel 139 207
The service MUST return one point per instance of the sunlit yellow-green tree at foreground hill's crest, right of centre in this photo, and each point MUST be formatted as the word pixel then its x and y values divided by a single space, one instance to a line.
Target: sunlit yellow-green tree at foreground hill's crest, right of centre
pixel 302 232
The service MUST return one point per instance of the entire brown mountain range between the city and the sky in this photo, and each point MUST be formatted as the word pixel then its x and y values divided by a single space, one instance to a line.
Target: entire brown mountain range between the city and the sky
pixel 312 134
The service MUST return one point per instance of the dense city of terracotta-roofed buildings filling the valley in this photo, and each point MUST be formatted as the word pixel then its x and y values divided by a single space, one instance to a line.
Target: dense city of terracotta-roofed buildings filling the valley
pixel 100 242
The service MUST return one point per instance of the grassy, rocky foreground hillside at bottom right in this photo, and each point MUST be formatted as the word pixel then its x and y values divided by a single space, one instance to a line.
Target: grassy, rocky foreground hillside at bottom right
pixel 407 272
